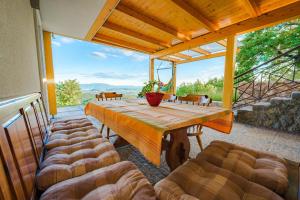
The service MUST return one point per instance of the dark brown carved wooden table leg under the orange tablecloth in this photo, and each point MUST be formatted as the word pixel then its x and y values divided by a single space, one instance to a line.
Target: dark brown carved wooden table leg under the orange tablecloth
pixel 178 149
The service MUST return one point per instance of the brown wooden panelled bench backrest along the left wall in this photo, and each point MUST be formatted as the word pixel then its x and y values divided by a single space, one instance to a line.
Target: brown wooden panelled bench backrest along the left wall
pixel 22 134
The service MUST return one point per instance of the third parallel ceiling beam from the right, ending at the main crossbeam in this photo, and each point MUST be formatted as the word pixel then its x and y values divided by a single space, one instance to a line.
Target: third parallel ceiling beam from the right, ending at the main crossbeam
pixel 148 20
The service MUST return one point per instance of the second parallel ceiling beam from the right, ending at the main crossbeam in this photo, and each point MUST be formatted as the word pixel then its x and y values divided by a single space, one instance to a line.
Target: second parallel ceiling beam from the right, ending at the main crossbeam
pixel 196 14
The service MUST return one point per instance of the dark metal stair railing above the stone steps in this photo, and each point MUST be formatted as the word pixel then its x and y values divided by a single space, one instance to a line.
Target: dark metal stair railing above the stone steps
pixel 272 78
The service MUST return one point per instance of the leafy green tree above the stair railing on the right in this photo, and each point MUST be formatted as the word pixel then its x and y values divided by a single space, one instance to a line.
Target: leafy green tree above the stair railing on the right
pixel 260 46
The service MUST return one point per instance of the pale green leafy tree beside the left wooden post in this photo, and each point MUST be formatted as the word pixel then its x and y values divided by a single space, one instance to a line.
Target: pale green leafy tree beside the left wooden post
pixel 68 93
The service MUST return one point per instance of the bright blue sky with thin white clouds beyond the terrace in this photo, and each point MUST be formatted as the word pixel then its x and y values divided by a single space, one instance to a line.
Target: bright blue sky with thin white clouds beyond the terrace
pixel 94 63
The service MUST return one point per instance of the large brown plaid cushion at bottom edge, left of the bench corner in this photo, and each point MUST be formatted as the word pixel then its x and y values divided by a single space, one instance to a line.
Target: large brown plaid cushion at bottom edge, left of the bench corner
pixel 121 181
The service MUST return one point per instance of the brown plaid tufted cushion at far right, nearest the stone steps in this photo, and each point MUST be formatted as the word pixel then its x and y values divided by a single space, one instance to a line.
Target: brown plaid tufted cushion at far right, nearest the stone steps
pixel 259 167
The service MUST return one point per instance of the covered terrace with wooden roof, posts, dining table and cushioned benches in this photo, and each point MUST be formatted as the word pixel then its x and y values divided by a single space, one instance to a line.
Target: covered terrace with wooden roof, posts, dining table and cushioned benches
pixel 152 152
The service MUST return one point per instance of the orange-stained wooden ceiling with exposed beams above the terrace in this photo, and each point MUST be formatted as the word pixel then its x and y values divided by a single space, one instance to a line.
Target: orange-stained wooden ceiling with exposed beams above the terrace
pixel 166 28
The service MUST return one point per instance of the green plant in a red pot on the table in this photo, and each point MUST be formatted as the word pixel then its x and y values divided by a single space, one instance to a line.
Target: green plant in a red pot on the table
pixel 153 98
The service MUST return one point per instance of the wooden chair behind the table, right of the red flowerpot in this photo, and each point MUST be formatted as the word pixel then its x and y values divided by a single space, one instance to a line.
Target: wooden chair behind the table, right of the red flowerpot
pixel 196 131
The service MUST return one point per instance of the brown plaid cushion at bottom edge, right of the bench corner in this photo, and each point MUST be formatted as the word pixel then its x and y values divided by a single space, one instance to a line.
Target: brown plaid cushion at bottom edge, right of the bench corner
pixel 199 179
